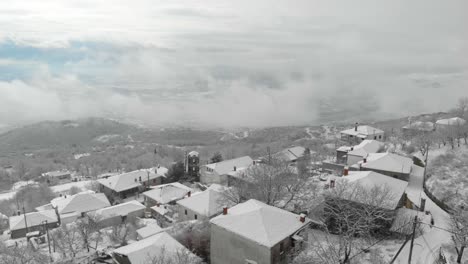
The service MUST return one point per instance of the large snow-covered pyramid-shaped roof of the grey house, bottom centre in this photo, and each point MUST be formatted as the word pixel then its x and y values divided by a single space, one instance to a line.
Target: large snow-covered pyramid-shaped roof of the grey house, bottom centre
pixel 259 222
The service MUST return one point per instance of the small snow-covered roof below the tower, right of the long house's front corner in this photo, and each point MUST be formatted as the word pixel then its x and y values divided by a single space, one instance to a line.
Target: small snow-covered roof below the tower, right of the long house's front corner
pixel 167 193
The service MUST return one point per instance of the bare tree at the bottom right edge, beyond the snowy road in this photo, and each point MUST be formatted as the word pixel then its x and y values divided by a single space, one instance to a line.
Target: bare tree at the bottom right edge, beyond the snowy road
pixel 459 228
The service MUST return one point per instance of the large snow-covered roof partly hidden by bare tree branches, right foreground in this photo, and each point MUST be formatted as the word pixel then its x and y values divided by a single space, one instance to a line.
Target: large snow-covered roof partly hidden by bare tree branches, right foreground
pixel 370 179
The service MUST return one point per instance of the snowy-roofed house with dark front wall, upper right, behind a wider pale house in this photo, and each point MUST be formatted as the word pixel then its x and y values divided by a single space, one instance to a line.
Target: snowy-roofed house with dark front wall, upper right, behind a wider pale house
pixel 352 155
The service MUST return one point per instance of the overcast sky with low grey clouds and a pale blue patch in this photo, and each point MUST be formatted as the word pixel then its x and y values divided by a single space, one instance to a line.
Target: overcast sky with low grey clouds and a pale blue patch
pixel 230 63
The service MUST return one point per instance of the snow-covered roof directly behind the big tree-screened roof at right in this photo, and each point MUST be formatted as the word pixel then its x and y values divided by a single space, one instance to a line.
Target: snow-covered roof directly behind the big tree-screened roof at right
pixel 387 162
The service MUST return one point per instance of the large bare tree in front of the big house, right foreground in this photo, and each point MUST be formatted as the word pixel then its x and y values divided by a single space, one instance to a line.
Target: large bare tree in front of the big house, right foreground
pixel 352 215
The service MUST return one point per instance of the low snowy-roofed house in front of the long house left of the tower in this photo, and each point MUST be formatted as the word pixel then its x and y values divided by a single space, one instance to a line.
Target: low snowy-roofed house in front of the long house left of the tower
pixel 118 214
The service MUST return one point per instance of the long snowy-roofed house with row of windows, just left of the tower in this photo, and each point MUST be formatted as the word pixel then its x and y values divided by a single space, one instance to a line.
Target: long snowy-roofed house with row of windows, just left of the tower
pixel 131 183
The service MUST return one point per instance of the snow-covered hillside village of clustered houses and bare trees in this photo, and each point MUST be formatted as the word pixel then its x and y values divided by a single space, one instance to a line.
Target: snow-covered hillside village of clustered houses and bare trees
pixel 283 207
